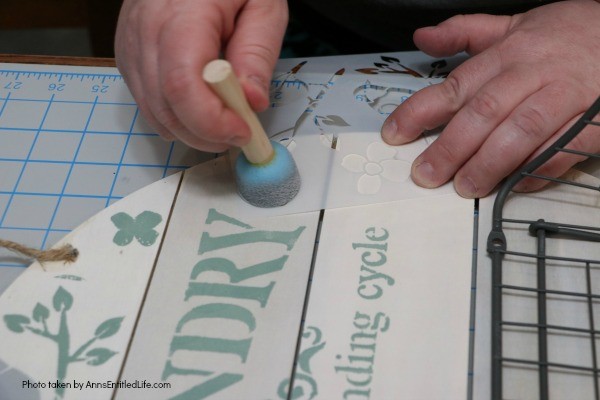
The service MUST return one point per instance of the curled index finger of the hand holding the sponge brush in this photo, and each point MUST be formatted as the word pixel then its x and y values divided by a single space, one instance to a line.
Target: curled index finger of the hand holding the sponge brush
pixel 186 45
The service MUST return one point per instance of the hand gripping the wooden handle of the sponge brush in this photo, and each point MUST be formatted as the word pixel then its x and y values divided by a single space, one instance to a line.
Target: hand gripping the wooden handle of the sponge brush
pixel 162 46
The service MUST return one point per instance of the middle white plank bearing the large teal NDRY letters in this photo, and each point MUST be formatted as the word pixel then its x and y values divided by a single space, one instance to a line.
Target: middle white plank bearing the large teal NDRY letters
pixel 223 312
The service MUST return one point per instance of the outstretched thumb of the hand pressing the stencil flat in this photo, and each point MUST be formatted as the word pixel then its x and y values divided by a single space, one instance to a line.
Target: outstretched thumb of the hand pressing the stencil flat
pixel 471 33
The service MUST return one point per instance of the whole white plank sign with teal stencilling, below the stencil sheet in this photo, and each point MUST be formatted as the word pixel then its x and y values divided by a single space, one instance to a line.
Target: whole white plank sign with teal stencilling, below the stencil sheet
pixel 182 291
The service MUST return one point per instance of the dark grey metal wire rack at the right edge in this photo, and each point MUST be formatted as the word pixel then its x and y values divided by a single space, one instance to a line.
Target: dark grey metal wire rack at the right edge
pixel 526 311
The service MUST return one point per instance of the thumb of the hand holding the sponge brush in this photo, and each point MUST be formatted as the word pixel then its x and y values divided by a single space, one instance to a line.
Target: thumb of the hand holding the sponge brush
pixel 254 47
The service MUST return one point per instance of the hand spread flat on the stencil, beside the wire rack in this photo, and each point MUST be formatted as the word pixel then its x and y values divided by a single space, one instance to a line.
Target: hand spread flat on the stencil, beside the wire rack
pixel 530 78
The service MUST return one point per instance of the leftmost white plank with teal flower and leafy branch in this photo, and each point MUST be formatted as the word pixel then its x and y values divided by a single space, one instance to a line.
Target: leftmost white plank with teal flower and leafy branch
pixel 73 323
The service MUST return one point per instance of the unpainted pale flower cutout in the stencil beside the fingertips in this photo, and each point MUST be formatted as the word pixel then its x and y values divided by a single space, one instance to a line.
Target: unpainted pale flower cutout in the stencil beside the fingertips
pixel 380 163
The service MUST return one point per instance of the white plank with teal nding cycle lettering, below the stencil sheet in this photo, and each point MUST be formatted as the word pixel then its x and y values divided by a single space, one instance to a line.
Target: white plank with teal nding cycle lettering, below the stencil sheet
pixel 388 314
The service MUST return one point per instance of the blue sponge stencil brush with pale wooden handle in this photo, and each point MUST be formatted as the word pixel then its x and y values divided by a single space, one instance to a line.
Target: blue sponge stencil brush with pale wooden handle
pixel 265 171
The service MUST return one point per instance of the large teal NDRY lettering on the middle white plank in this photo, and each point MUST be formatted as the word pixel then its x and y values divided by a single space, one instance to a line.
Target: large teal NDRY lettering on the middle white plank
pixel 189 337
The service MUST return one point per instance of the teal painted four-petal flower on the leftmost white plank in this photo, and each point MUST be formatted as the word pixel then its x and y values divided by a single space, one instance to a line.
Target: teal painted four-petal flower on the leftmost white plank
pixel 140 227
